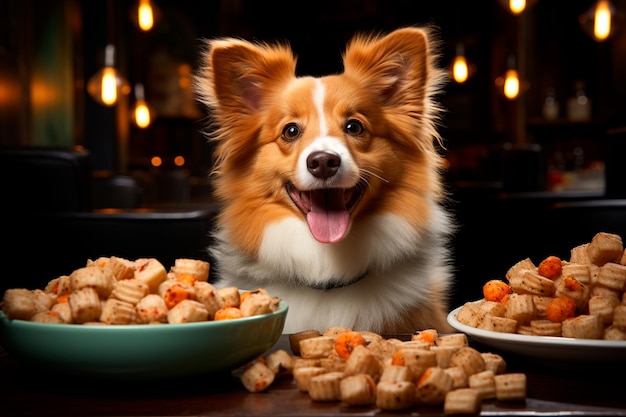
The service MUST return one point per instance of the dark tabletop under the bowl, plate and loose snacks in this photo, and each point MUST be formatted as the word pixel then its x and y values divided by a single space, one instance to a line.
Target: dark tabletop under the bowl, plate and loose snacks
pixel 552 389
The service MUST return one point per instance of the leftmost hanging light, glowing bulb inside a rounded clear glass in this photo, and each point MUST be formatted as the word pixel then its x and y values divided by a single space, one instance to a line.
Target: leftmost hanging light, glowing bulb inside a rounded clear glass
pixel 106 85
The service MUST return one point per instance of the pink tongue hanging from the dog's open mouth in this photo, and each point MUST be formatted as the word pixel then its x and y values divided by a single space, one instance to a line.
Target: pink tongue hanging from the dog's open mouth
pixel 328 219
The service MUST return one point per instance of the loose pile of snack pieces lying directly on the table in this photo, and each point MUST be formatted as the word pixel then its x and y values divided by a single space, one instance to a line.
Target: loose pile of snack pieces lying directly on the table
pixel 363 369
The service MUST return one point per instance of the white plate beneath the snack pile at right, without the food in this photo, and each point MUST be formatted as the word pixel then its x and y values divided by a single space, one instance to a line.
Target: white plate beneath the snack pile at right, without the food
pixel 545 347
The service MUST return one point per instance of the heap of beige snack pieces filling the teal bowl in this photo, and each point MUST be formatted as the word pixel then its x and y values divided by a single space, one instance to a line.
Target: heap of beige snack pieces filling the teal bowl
pixel 117 291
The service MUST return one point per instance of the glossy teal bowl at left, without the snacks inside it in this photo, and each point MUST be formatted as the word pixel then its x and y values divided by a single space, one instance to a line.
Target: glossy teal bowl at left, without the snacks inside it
pixel 143 351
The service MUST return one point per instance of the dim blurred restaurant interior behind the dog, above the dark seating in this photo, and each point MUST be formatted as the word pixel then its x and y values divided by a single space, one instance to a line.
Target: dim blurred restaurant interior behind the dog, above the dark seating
pixel 51 50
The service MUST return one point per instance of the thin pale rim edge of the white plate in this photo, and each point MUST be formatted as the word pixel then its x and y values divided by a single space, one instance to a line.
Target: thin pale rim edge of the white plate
pixel 537 341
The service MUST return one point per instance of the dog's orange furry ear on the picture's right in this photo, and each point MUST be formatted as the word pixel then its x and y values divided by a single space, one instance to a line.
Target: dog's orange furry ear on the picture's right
pixel 398 66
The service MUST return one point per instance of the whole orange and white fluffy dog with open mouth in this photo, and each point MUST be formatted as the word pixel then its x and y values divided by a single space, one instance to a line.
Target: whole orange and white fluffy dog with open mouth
pixel 330 187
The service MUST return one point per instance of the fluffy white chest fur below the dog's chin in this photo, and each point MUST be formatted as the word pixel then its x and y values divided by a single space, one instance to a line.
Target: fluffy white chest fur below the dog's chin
pixel 399 264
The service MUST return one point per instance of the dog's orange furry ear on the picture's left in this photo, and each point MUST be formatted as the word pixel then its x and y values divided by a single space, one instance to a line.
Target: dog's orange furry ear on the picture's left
pixel 237 75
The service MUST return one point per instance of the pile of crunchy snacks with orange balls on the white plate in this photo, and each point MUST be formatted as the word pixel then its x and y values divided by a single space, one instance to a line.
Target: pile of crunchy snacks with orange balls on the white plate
pixel 578 298
